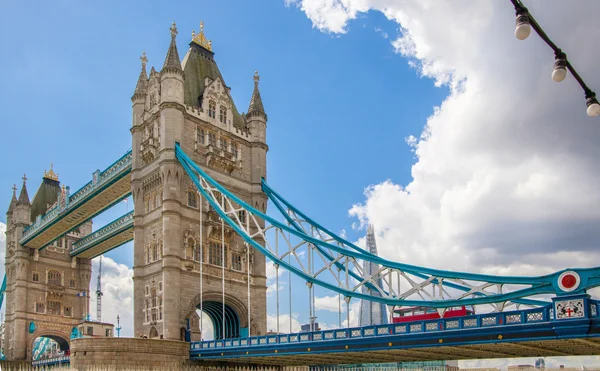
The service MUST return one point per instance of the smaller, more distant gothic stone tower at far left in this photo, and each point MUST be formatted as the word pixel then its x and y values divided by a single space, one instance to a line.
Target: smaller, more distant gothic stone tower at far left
pixel 42 286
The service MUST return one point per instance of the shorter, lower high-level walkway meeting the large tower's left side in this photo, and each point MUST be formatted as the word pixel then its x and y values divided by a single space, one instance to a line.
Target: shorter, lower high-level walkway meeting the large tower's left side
pixel 111 236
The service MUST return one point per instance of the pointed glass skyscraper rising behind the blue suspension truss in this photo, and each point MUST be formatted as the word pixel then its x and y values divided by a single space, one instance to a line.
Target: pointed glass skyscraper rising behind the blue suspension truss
pixel 372 313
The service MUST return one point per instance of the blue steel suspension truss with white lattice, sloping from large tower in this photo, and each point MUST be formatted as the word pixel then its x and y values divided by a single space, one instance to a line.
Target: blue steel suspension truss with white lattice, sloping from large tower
pixel 281 242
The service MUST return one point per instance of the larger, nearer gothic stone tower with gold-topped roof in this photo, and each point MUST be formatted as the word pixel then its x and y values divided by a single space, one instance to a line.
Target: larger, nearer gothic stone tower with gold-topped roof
pixel 189 103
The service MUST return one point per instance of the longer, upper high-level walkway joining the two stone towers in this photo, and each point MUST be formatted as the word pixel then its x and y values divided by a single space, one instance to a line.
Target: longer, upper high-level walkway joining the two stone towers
pixel 104 190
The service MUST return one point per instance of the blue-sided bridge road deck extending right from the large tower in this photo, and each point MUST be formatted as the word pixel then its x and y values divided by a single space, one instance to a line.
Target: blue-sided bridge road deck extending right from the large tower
pixel 530 333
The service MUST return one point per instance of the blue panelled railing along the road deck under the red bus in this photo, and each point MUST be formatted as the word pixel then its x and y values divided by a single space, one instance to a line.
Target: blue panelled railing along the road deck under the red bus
pixel 520 317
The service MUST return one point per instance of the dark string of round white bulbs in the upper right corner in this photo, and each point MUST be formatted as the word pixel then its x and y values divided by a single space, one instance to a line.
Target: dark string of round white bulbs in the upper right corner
pixel 525 22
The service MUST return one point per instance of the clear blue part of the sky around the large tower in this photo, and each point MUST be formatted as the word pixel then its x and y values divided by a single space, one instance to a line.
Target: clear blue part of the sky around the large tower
pixel 339 108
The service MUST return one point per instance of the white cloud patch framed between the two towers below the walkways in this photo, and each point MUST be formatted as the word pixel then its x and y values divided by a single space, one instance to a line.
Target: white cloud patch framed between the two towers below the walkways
pixel 117 286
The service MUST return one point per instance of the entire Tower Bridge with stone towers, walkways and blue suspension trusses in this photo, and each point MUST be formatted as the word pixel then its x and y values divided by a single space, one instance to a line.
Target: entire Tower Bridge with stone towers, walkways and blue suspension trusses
pixel 201 235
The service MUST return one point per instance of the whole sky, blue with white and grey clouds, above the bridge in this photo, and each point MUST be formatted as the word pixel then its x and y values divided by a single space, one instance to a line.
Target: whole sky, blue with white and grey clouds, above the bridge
pixel 342 96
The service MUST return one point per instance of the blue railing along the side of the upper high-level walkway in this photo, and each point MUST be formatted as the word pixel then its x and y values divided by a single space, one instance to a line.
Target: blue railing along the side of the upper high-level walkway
pixel 100 180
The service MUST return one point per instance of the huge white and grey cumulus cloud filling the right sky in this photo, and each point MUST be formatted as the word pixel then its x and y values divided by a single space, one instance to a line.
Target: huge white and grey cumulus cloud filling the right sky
pixel 505 178
